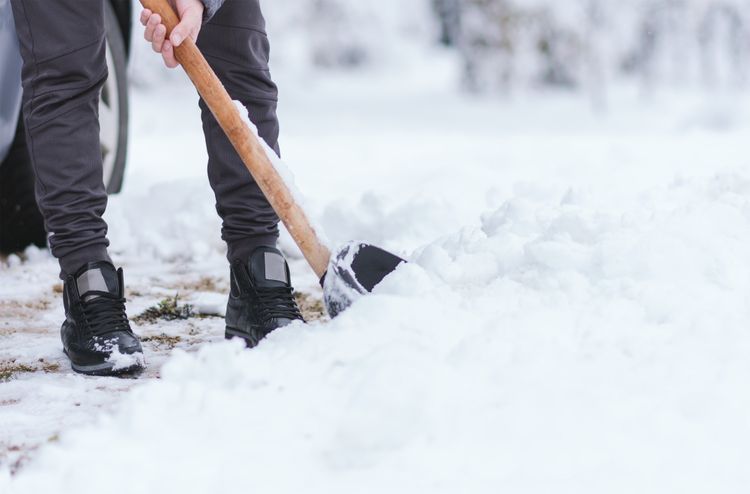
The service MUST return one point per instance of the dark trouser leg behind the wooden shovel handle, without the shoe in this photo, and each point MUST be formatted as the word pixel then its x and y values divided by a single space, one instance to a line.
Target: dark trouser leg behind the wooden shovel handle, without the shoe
pixel 235 44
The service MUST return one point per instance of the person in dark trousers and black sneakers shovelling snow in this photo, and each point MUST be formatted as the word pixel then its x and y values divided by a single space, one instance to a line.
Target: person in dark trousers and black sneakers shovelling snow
pixel 63 50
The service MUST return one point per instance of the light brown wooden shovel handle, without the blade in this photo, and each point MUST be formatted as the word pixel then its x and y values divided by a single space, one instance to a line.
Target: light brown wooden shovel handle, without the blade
pixel 245 143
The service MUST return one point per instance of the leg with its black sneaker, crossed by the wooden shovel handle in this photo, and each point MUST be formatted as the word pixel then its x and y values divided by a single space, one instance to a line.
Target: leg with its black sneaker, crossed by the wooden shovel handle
pixel 261 298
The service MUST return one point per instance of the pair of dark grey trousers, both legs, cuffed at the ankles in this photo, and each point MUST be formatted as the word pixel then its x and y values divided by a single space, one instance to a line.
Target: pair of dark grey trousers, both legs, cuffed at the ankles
pixel 63 49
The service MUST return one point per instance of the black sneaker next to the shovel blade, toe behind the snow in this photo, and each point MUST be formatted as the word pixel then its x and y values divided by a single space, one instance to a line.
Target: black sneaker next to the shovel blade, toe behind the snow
pixel 262 297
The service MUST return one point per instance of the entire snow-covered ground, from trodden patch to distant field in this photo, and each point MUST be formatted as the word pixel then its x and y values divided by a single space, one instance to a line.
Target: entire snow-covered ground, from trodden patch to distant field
pixel 575 318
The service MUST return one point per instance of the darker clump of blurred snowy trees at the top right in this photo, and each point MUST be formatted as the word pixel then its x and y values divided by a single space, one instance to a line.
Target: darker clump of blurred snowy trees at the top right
pixel 584 43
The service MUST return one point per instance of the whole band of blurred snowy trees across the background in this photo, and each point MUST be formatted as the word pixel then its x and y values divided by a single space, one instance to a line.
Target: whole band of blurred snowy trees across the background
pixel 506 44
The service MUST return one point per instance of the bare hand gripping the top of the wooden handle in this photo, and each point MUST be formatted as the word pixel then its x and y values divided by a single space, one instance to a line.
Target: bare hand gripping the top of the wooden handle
pixel 190 13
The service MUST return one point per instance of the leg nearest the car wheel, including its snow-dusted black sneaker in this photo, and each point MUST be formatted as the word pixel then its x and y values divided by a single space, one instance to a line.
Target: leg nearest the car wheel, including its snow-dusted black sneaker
pixel 64 66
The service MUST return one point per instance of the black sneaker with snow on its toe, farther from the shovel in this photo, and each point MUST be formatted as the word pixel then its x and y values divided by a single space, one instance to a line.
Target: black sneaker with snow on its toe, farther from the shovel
pixel 96 333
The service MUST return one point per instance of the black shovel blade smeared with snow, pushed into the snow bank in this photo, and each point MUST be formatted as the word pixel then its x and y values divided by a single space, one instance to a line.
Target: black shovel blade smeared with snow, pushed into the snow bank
pixel 354 271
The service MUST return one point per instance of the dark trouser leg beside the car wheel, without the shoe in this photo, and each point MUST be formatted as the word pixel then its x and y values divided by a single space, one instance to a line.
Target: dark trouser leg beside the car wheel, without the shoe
pixel 63 49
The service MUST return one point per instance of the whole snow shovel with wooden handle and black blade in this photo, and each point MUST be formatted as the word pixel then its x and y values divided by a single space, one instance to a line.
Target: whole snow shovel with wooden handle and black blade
pixel 357 267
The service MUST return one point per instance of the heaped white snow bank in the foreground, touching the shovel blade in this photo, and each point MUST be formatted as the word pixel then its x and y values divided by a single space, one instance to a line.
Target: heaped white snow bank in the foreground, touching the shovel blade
pixel 563 345
